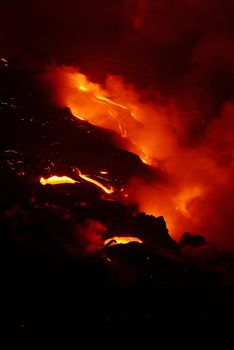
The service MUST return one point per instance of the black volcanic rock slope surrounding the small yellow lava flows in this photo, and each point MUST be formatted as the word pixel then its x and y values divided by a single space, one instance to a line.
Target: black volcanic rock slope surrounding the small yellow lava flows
pixel 52 289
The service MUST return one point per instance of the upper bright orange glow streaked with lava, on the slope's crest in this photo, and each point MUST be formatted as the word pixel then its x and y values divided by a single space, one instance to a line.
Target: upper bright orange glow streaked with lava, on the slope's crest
pixel 90 102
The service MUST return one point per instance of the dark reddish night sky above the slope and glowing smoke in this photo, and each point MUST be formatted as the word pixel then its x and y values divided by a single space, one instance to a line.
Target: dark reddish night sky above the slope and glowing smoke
pixel 161 40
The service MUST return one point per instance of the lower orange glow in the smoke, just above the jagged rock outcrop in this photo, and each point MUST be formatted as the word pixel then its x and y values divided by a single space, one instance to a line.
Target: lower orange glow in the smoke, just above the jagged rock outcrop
pixel 179 206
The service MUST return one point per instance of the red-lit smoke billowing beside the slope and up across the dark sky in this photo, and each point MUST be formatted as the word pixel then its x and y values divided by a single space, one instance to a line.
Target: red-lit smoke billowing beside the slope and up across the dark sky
pixel 178 56
